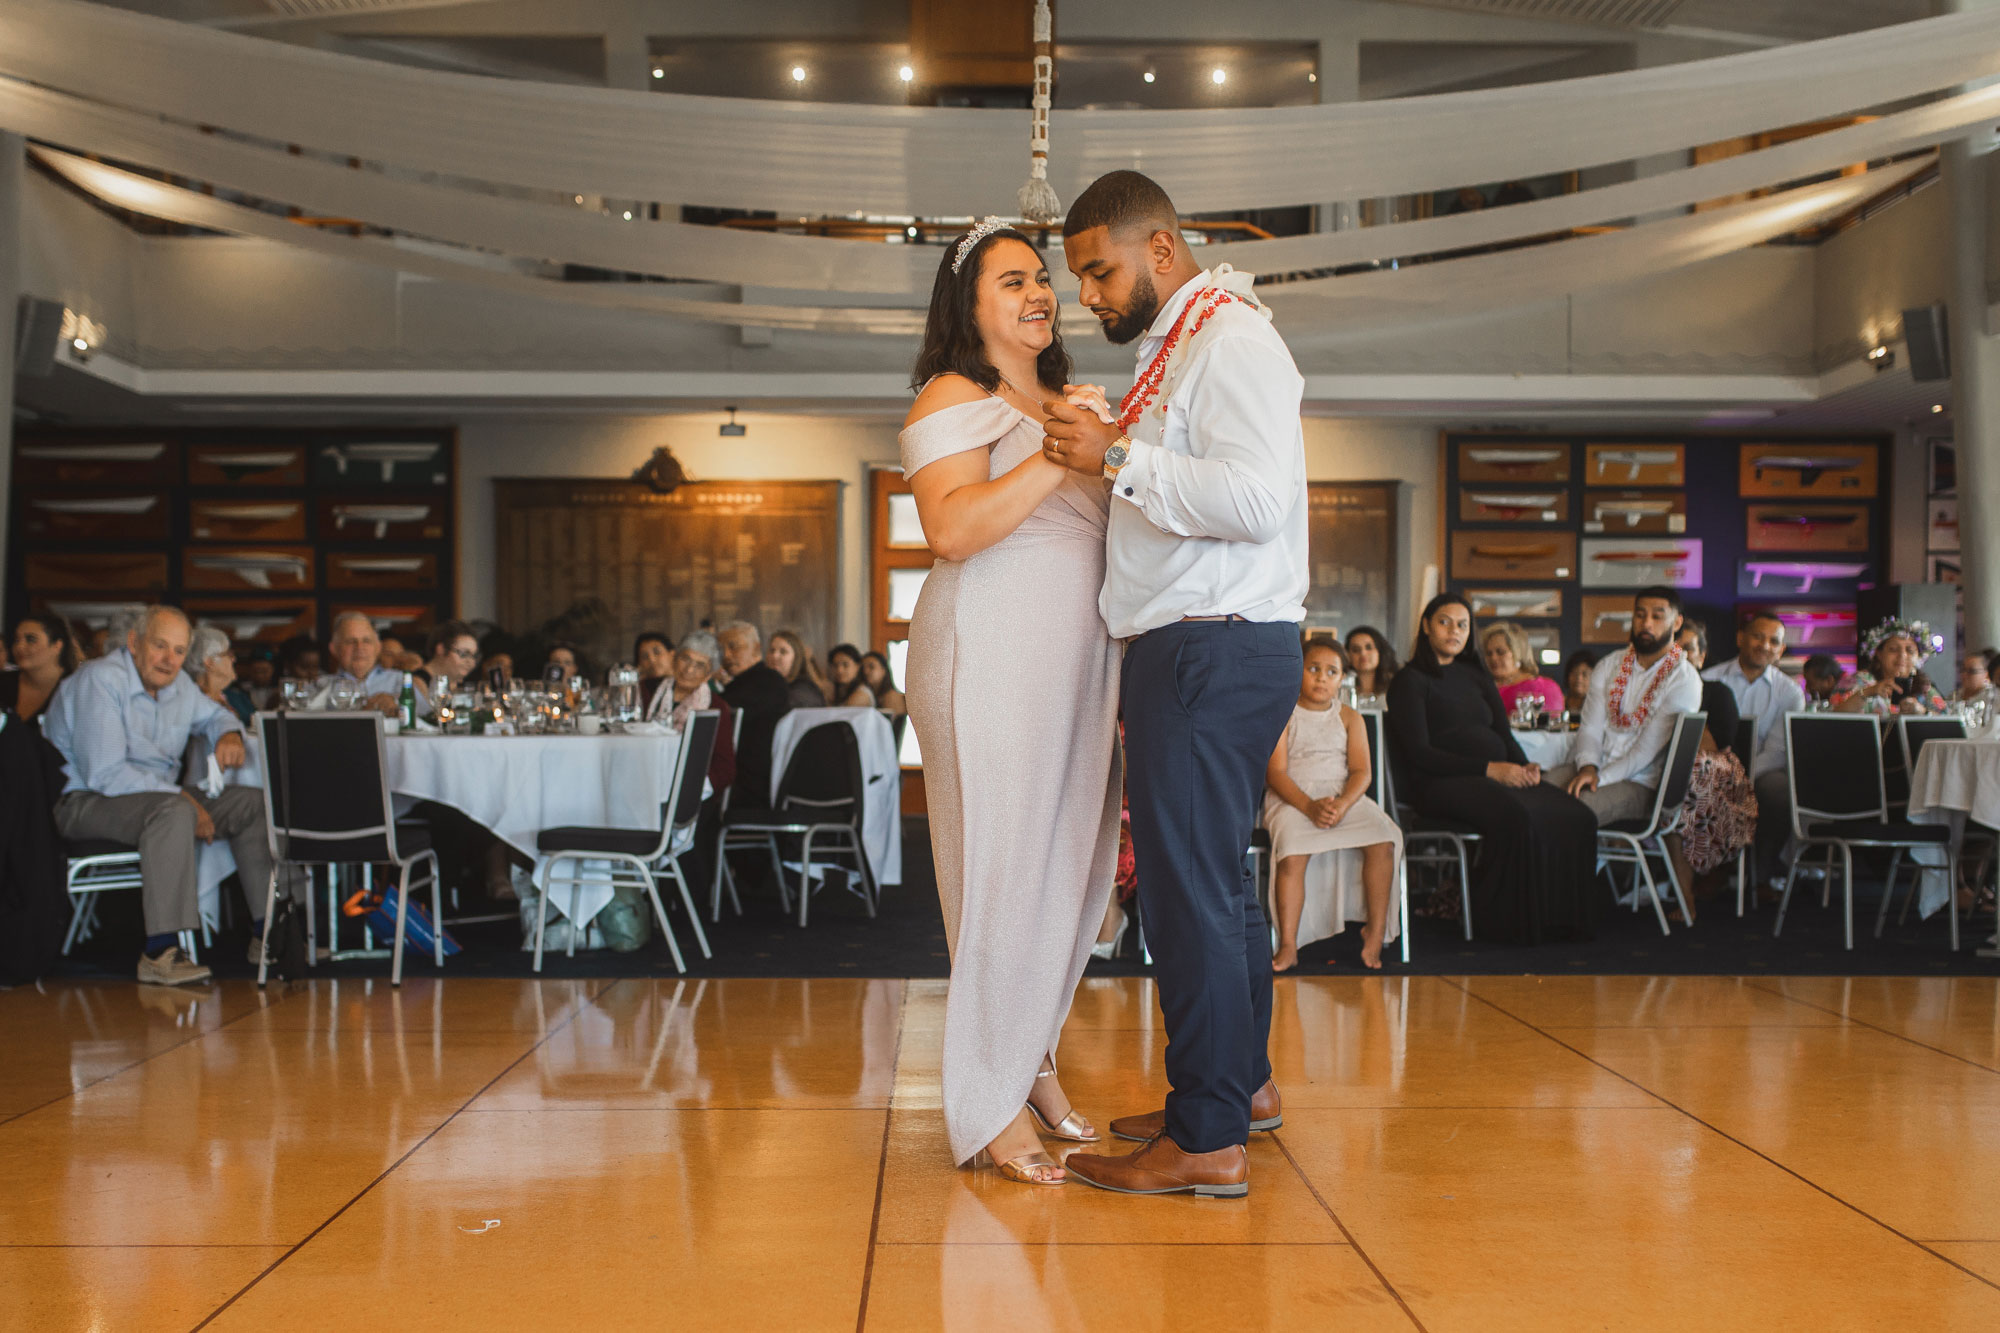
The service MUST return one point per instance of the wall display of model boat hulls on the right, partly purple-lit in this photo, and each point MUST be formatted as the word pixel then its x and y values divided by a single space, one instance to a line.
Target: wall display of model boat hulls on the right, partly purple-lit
pixel 1733 521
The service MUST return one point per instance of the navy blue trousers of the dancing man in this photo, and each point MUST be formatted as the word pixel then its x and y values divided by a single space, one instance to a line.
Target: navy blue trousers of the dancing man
pixel 1205 706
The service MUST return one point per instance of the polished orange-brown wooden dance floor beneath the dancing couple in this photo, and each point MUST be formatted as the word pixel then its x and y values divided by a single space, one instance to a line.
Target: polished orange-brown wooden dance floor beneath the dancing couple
pixel 1483 1154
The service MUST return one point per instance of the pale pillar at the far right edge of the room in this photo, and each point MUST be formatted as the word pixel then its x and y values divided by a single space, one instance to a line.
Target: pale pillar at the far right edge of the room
pixel 1975 393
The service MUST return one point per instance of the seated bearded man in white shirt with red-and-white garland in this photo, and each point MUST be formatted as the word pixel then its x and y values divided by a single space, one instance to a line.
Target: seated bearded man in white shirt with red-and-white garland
pixel 1629 714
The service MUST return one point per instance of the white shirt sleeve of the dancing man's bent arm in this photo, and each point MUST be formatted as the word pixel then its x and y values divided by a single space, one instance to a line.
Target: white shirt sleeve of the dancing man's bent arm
pixel 1243 411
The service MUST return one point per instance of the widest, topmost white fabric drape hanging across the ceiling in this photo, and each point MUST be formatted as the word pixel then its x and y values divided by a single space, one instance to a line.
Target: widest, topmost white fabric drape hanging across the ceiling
pixel 801 157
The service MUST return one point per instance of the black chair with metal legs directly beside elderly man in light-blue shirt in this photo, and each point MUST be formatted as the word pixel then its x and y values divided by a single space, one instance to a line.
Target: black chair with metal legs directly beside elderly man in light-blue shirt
pixel 327 802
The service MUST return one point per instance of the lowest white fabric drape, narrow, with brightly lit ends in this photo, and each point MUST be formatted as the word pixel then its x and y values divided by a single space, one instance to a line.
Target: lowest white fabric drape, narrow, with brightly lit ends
pixel 1413 293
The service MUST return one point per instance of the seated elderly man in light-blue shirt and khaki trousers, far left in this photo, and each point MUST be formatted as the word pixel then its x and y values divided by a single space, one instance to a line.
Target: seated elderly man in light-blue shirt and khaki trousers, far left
pixel 123 728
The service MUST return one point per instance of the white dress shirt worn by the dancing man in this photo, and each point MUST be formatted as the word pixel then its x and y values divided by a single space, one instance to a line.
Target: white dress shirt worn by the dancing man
pixel 1209 515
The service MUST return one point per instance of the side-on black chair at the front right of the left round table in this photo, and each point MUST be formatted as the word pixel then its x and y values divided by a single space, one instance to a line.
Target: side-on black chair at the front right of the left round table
pixel 635 858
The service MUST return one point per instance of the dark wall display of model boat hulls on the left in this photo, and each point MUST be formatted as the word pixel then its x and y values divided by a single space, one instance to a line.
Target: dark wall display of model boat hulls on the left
pixel 257 531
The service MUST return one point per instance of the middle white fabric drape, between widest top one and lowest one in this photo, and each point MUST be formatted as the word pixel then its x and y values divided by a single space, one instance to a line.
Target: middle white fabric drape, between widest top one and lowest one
pixel 547 231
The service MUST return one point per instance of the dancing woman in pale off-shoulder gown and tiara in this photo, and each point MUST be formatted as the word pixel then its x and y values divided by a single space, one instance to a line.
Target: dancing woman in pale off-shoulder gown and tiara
pixel 1021 770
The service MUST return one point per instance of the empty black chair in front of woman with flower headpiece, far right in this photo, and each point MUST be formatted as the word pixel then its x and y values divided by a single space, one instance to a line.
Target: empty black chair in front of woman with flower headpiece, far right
pixel 1841 802
